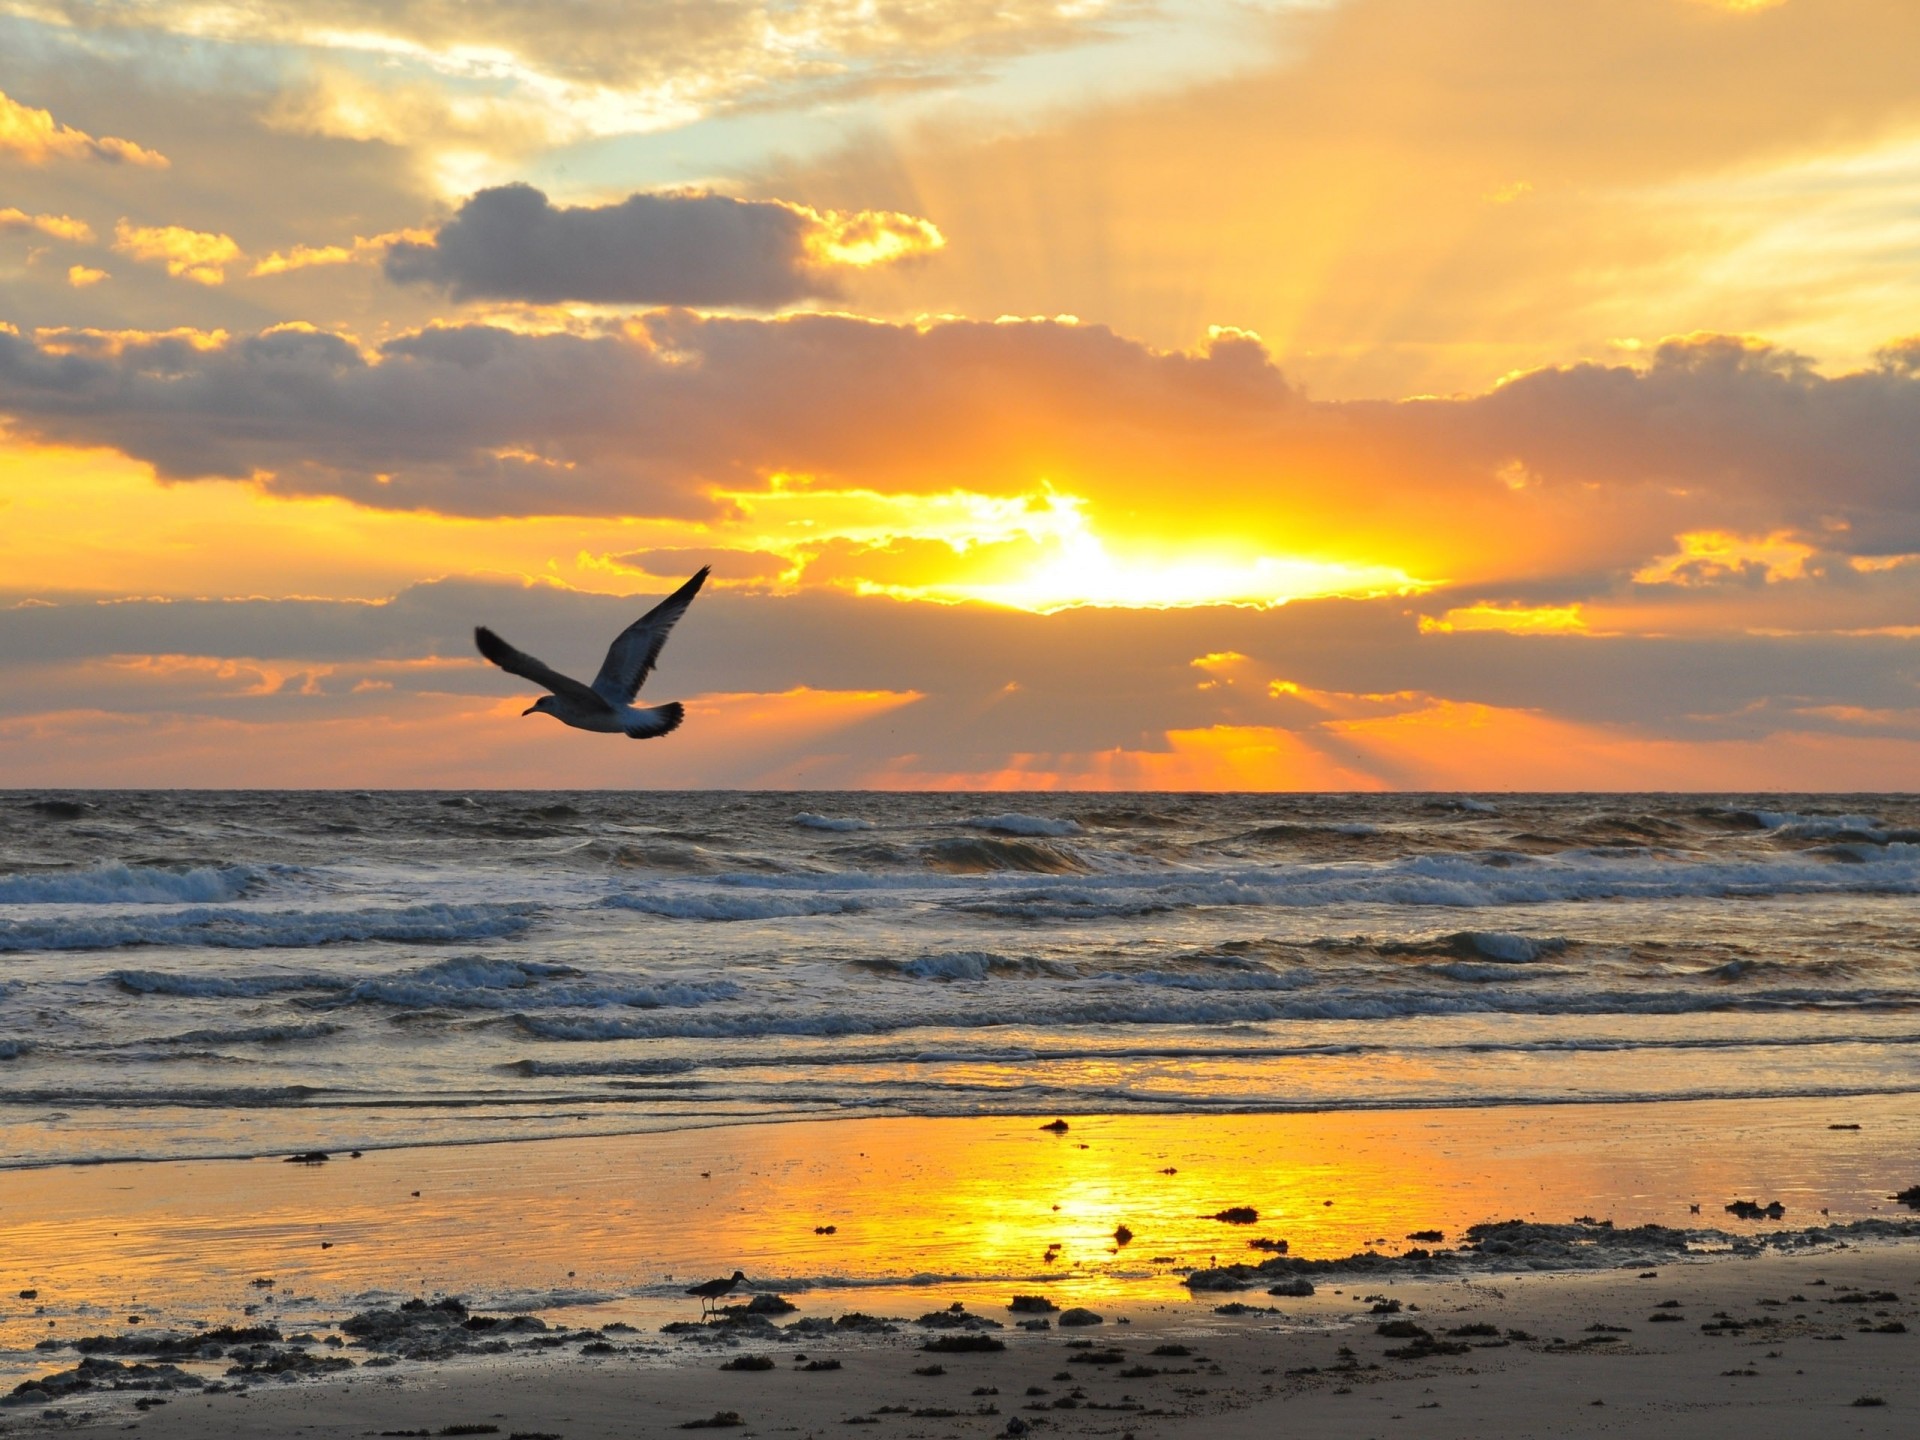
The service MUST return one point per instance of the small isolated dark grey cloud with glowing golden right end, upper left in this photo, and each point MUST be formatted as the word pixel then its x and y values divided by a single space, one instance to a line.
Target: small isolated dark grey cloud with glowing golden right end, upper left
pixel 512 243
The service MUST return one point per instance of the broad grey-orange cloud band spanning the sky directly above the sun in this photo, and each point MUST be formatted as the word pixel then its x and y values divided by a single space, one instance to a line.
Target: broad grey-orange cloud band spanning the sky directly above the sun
pixel 1205 454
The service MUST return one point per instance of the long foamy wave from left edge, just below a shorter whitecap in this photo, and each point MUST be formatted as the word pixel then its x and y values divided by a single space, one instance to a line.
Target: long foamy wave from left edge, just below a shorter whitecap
pixel 258 930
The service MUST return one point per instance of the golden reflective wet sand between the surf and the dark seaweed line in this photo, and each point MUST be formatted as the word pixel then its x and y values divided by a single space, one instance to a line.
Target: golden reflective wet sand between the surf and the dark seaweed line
pixel 971 1205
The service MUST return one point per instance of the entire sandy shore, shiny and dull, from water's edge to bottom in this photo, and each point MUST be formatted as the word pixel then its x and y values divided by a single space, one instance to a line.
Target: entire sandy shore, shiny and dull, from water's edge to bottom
pixel 907 1220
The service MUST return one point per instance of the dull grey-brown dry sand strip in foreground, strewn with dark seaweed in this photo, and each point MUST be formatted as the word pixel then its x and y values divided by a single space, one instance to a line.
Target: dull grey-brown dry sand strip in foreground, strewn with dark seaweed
pixel 1790 1355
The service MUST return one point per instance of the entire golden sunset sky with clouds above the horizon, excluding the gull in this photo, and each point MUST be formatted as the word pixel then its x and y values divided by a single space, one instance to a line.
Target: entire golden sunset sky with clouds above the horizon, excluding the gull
pixel 1067 395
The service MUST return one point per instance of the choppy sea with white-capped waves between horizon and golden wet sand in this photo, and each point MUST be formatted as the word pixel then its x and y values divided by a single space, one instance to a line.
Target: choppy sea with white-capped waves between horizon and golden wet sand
pixel 191 974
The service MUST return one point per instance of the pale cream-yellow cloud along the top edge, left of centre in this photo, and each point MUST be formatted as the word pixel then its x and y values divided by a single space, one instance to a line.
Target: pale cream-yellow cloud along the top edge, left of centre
pixel 610 66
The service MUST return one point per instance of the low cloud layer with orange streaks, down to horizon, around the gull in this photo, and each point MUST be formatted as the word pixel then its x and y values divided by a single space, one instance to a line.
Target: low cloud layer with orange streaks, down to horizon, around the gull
pixel 1318 694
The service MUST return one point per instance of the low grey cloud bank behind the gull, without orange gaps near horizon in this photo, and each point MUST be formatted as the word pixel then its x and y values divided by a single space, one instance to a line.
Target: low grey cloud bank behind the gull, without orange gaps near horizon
pixel 996 683
